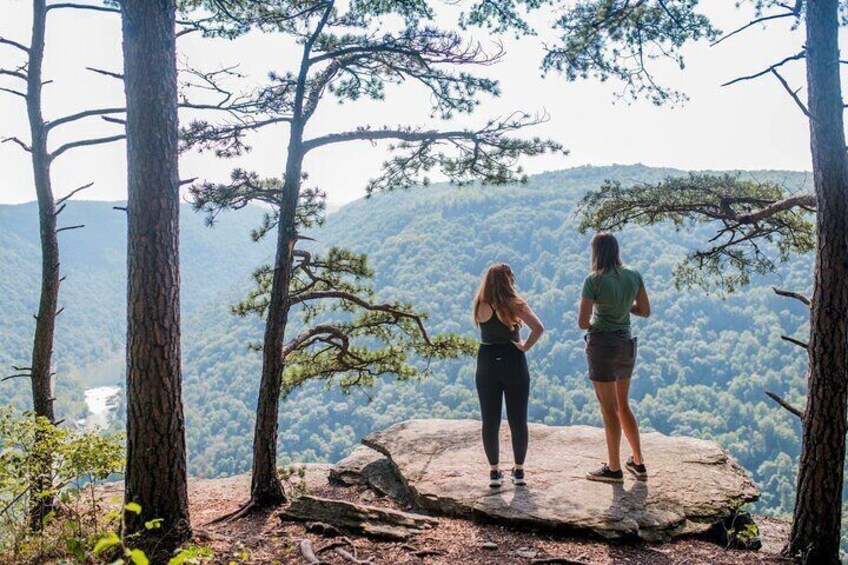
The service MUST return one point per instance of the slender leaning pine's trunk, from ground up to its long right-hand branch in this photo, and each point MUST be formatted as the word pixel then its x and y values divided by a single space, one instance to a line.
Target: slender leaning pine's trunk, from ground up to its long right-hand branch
pixel 265 489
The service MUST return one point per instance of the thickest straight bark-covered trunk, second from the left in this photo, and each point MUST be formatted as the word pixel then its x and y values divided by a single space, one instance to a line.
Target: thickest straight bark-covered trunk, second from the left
pixel 156 453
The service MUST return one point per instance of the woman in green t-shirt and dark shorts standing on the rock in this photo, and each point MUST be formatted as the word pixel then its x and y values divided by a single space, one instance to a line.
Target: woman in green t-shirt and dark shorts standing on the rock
pixel 612 292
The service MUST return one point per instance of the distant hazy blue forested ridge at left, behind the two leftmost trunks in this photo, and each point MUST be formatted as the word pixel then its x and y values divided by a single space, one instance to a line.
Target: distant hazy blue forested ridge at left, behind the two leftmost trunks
pixel 91 329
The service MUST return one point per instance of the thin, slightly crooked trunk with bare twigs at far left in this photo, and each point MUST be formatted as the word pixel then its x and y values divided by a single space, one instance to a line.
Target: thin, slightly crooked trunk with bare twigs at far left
pixel 41 374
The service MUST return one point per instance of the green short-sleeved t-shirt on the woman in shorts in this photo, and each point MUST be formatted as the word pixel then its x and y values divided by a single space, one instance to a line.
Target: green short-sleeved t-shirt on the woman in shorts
pixel 613 293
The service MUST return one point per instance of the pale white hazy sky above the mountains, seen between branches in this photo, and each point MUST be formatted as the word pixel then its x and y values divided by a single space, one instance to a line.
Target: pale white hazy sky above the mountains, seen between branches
pixel 753 125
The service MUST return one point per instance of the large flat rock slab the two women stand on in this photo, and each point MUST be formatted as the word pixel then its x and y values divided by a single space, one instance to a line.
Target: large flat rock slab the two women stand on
pixel 693 483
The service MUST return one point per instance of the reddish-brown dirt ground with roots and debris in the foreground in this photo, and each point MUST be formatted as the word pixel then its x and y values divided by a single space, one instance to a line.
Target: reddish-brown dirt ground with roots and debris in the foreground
pixel 264 538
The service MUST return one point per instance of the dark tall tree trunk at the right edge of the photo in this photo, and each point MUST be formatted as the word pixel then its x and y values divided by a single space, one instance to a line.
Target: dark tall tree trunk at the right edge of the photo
pixel 816 526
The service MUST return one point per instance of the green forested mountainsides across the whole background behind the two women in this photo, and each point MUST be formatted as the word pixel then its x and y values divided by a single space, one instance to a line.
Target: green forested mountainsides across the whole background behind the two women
pixel 704 360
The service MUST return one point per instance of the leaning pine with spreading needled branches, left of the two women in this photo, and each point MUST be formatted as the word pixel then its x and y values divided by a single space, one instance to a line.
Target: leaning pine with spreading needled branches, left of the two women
pixel 346 56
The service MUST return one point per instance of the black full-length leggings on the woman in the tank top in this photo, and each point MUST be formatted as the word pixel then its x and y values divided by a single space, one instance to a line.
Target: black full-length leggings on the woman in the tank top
pixel 502 372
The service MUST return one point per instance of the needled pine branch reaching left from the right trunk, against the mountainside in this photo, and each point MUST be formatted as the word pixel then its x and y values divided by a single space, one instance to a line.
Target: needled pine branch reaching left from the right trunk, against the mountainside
pixel 745 212
